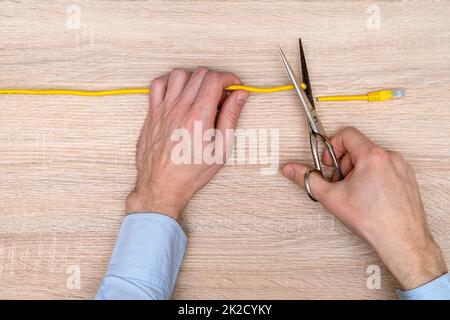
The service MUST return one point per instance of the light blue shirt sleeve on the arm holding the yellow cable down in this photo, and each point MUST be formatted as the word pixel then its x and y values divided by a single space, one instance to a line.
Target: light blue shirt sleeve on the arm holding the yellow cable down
pixel 145 260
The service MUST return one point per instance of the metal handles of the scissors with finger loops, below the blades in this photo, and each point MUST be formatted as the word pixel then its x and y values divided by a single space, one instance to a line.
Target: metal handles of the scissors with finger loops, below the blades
pixel 317 165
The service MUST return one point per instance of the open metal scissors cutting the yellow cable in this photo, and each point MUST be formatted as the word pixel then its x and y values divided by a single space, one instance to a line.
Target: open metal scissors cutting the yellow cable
pixel 315 127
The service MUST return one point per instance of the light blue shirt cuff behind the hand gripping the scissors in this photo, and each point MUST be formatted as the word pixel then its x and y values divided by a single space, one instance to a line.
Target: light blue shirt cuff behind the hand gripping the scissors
pixel 438 289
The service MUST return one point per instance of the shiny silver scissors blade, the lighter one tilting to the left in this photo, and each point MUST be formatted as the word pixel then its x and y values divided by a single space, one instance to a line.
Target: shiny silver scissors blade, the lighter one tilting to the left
pixel 310 111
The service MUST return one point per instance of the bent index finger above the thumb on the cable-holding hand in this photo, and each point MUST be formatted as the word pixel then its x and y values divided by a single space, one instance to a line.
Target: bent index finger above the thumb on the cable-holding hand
pixel 211 92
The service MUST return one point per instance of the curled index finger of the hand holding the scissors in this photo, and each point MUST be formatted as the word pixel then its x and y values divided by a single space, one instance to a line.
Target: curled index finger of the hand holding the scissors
pixel 348 140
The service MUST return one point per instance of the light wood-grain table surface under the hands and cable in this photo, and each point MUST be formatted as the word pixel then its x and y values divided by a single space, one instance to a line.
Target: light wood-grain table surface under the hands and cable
pixel 67 163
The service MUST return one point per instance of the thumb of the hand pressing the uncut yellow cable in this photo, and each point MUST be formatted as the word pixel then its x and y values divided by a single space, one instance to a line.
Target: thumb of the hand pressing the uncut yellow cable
pixel 228 118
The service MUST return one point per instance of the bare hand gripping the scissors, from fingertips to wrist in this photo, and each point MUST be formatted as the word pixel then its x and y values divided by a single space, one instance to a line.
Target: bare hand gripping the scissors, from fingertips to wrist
pixel 379 200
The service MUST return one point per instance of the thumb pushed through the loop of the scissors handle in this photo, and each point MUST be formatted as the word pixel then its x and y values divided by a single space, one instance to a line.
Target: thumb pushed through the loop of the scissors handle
pixel 320 188
